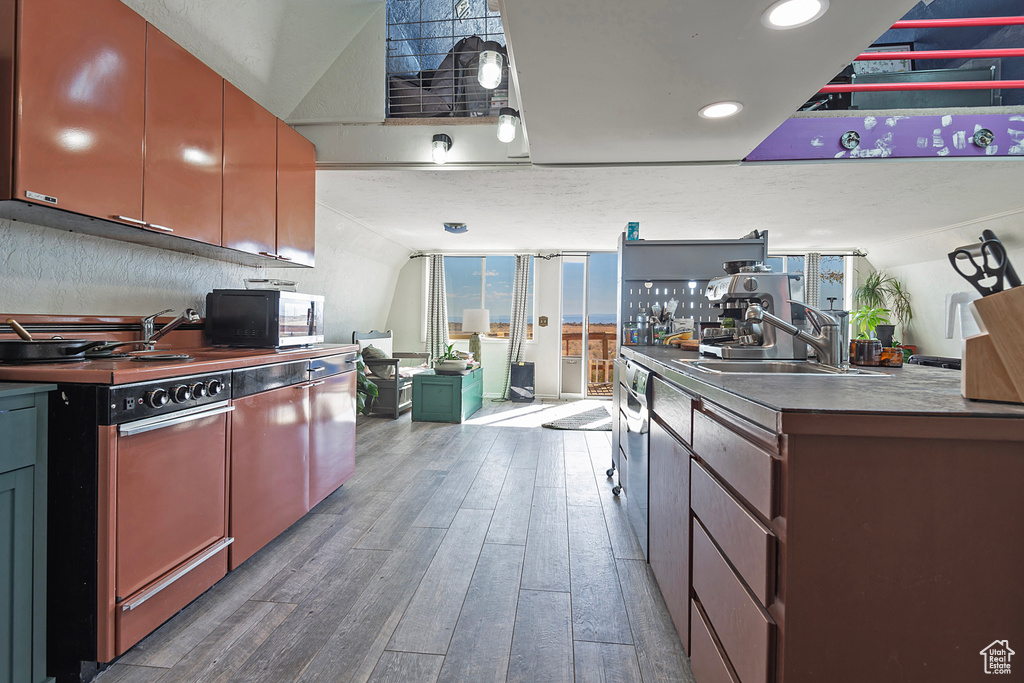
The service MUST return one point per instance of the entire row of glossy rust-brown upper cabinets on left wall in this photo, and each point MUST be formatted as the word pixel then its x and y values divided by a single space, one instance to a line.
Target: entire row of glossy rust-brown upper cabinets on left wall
pixel 106 117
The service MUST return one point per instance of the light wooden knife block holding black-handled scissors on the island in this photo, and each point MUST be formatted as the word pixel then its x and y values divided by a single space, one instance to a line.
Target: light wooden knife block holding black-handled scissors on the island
pixel 994 361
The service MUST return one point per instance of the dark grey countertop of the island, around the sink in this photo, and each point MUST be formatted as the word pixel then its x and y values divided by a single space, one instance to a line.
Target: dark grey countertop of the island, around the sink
pixel 912 391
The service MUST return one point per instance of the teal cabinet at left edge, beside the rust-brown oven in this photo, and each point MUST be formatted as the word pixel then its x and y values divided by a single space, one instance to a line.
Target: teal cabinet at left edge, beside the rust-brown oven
pixel 23 533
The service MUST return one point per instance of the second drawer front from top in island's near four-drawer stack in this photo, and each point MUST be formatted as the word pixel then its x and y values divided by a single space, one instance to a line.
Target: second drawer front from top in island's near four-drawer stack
pixel 745 540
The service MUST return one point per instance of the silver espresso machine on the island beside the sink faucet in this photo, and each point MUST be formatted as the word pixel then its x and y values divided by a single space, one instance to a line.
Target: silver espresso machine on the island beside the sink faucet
pixel 742 339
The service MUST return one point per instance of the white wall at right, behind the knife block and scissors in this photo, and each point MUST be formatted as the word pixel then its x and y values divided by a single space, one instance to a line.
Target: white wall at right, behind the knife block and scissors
pixel 922 265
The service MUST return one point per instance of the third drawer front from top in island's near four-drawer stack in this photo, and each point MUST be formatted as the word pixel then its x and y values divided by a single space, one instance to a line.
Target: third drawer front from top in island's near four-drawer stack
pixel 743 627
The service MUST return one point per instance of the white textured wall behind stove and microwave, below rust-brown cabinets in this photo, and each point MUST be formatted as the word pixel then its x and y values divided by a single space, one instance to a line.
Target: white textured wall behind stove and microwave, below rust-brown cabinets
pixel 45 271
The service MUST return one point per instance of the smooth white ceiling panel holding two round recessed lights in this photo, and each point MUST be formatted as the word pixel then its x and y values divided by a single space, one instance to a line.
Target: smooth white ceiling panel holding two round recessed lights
pixel 612 81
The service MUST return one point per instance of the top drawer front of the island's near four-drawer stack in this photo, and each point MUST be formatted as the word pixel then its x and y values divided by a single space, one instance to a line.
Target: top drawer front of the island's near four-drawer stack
pixel 740 463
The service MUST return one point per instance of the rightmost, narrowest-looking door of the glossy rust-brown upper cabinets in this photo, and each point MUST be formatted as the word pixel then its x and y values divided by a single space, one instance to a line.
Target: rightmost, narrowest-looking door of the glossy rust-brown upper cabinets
pixel 296 196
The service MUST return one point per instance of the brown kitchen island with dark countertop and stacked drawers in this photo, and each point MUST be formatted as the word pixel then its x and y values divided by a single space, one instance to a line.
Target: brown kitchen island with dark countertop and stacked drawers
pixel 834 529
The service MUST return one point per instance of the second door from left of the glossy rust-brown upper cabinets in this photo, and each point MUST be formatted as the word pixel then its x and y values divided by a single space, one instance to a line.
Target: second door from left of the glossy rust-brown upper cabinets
pixel 184 143
